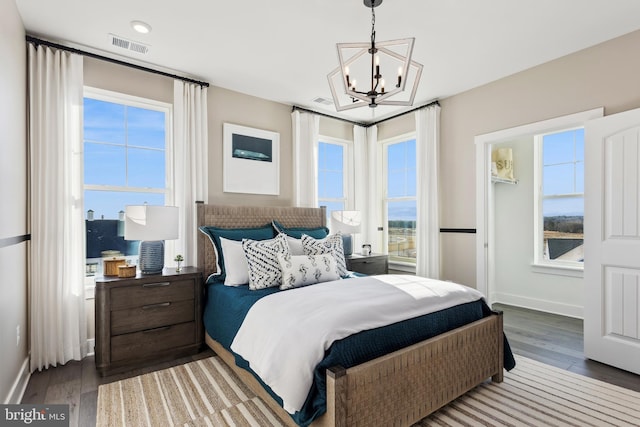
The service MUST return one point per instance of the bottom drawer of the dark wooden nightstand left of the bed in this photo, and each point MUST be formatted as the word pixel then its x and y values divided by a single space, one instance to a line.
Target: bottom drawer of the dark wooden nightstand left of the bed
pixel 147 343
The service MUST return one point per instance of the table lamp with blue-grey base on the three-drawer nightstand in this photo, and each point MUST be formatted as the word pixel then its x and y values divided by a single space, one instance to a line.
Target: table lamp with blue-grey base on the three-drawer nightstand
pixel 152 225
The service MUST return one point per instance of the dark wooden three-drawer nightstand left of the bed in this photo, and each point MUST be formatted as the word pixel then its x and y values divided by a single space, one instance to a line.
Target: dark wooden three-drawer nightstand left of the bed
pixel 147 318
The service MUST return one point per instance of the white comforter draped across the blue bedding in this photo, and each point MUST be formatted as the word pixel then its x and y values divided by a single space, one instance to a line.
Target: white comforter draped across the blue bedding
pixel 285 334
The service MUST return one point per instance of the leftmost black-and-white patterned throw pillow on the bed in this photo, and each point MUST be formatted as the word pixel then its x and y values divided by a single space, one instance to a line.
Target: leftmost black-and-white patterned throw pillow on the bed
pixel 262 258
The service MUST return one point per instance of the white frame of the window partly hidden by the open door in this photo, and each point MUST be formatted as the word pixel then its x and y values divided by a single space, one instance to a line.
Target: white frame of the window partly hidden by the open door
pixel 561 267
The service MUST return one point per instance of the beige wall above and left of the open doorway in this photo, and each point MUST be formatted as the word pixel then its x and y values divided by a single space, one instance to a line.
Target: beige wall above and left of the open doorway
pixel 605 75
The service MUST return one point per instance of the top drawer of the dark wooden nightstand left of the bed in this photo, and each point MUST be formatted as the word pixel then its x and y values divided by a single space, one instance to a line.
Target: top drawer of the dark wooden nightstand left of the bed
pixel 151 293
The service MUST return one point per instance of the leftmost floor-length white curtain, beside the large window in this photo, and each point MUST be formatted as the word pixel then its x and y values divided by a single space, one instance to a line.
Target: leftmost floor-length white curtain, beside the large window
pixel 56 297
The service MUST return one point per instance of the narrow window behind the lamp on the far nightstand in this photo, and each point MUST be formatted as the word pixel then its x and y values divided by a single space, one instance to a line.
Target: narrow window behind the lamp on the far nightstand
pixel 332 176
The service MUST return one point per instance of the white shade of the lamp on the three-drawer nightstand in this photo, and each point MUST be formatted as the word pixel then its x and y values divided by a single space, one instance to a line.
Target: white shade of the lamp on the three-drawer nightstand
pixel 151 222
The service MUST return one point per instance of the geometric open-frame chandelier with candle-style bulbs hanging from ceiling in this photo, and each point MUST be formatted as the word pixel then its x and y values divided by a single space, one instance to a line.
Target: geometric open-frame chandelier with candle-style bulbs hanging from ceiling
pixel 371 59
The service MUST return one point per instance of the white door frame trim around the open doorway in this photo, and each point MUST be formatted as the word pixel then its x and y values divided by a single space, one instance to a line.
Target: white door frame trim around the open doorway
pixel 485 253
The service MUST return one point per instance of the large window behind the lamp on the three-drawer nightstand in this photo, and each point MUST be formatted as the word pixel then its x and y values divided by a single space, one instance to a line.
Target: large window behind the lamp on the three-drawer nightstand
pixel 126 160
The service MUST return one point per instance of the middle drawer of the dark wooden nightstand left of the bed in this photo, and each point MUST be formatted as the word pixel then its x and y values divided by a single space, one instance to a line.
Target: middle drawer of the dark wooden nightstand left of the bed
pixel 151 316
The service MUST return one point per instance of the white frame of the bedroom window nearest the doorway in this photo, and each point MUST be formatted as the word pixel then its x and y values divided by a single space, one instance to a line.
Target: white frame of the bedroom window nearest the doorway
pixel 384 144
